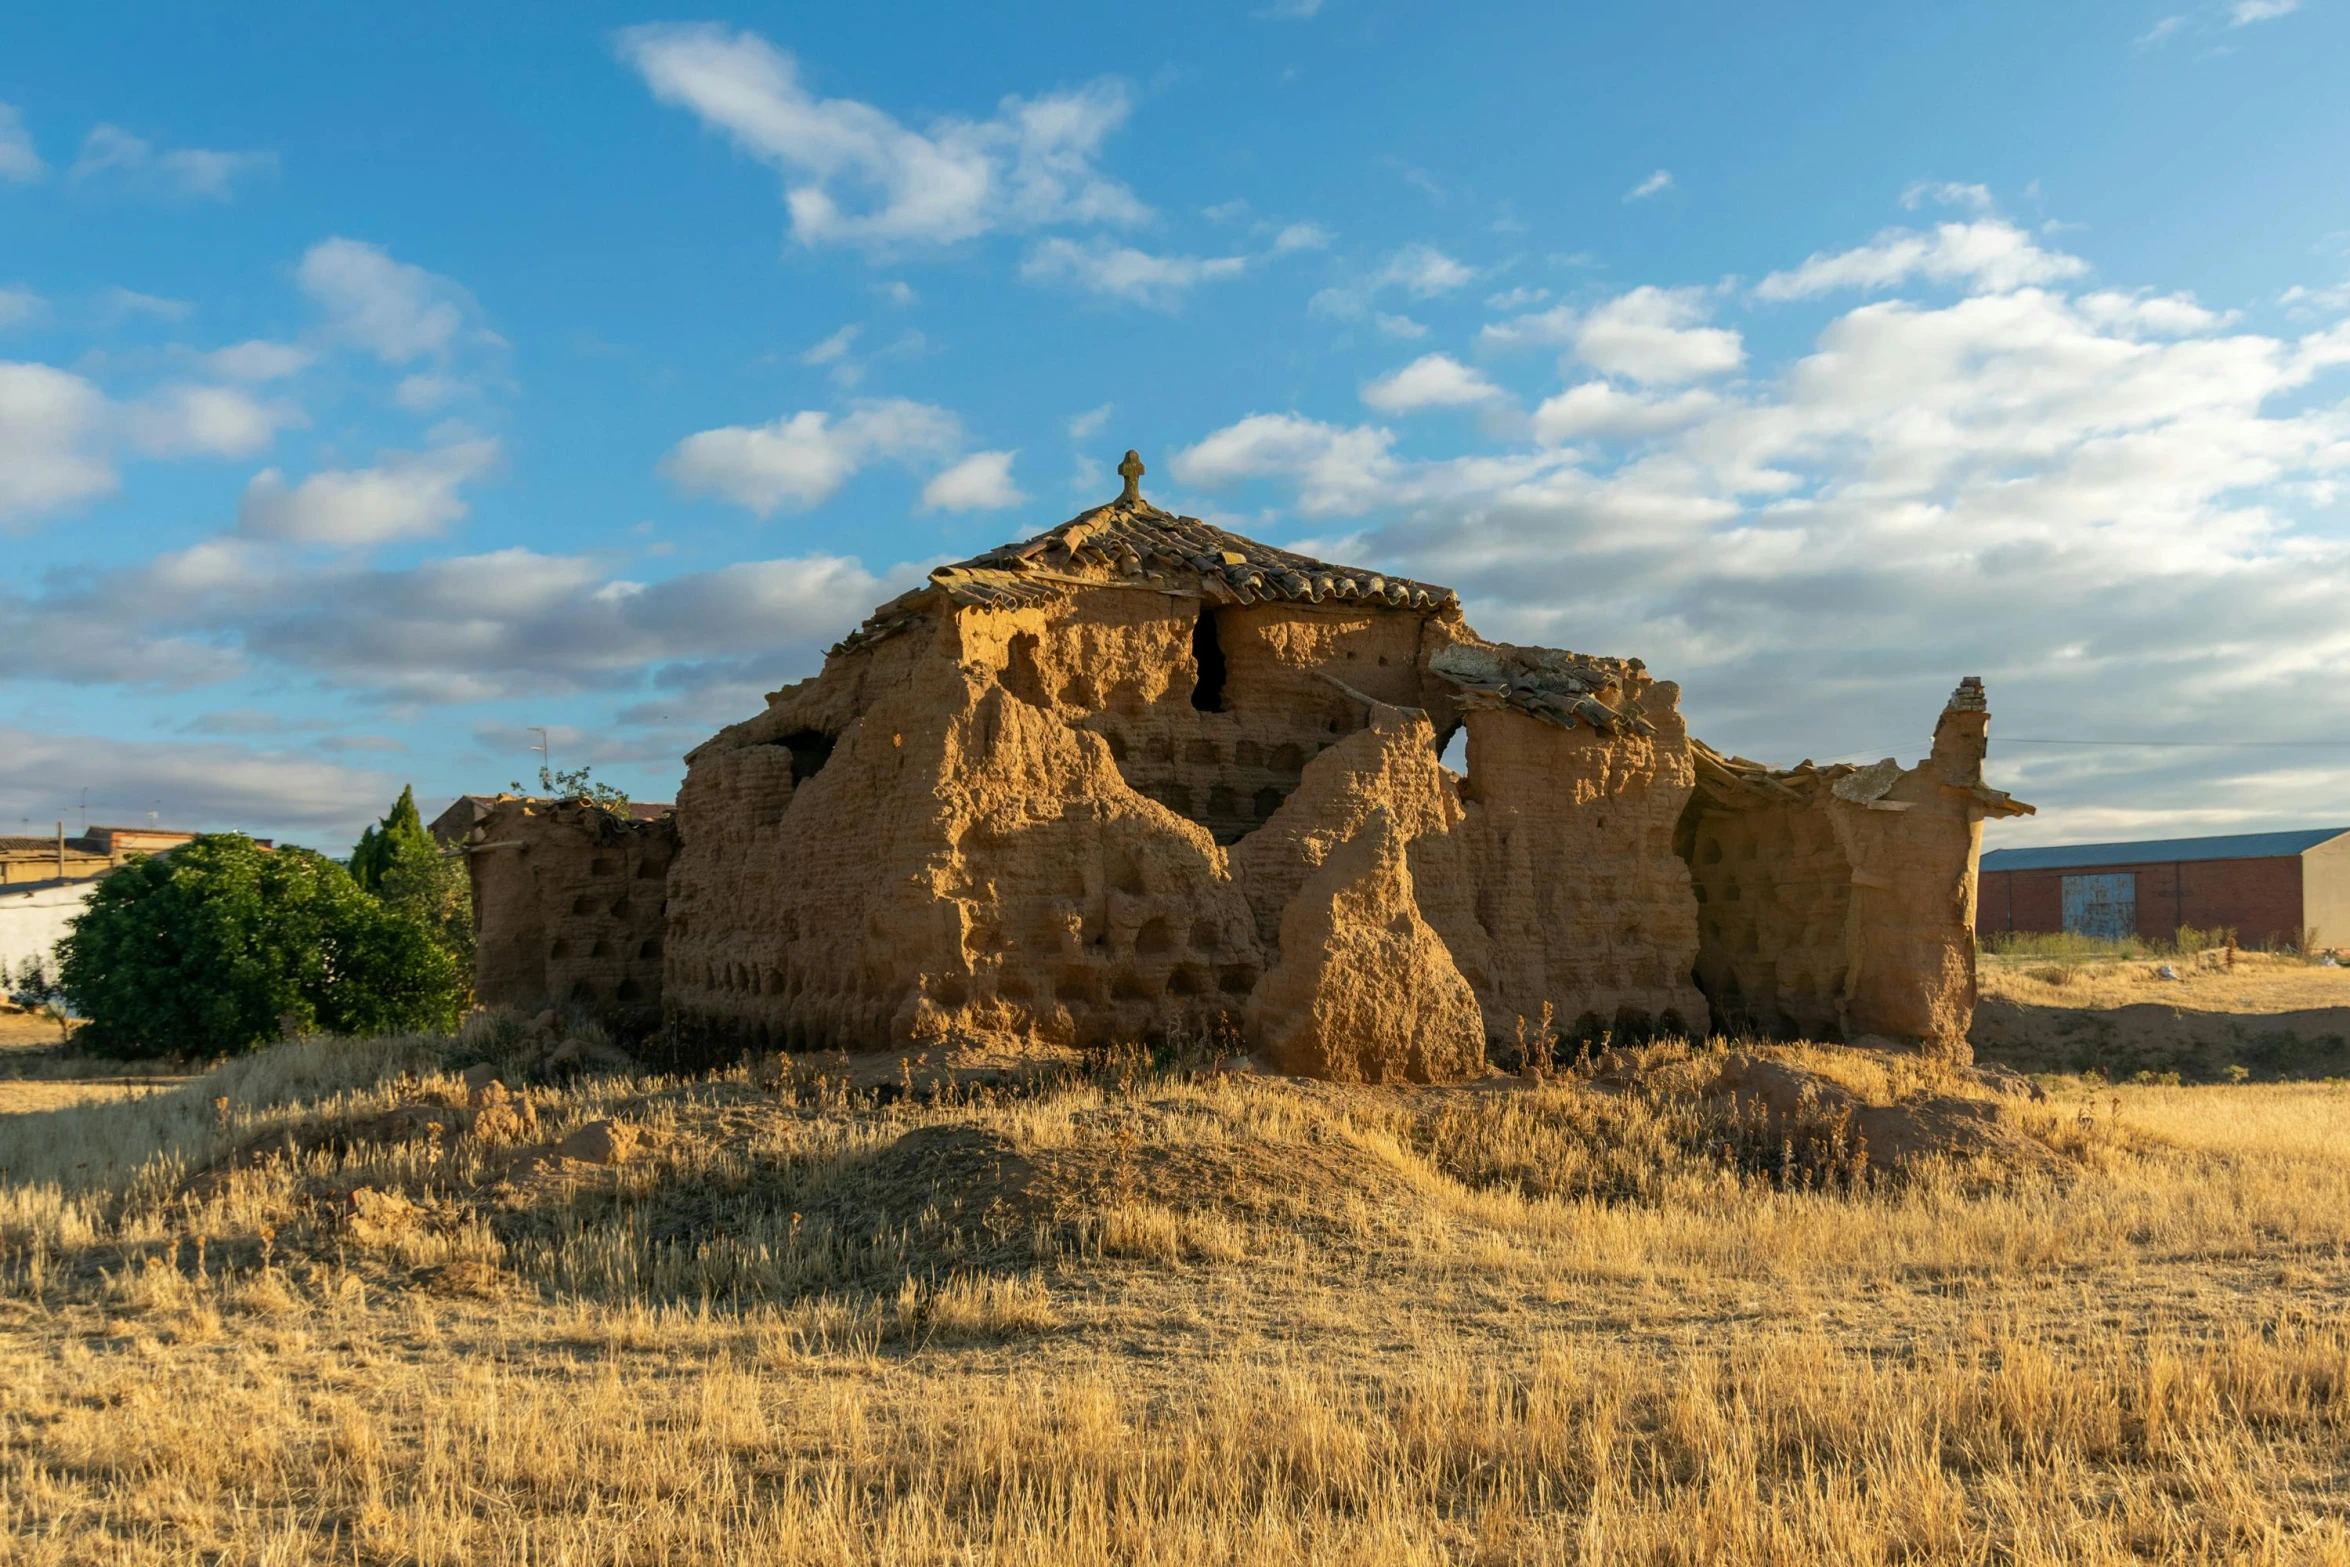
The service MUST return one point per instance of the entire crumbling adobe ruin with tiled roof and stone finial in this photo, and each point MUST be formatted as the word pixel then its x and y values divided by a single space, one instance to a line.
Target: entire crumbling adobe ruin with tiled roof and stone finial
pixel 1141 776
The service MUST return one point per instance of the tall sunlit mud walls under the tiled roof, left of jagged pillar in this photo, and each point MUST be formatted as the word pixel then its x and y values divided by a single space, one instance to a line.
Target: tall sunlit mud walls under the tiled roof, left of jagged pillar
pixel 1021 823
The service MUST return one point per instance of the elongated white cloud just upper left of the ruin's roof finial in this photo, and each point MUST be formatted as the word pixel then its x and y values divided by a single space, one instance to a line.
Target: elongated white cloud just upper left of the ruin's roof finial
pixel 805 459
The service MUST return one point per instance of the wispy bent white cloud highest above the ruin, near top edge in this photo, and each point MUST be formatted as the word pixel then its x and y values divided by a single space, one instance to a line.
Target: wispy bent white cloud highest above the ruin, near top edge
pixel 854 175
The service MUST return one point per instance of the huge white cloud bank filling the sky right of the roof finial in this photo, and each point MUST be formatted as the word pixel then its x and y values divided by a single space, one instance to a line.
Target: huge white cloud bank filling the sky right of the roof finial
pixel 2104 504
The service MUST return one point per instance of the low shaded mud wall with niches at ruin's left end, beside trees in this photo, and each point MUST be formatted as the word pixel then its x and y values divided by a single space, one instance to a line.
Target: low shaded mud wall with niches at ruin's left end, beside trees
pixel 570 910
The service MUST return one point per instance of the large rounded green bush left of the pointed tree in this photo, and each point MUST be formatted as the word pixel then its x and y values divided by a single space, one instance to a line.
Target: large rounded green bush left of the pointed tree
pixel 227 946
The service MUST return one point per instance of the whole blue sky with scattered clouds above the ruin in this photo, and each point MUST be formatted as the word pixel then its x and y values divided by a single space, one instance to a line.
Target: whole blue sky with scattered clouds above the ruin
pixel 380 386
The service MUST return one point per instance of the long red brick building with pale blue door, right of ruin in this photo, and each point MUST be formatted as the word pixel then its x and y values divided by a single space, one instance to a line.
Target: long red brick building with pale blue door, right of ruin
pixel 2269 887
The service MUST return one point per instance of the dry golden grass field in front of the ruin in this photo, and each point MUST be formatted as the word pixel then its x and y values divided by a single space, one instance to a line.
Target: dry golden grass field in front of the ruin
pixel 1164 1321
